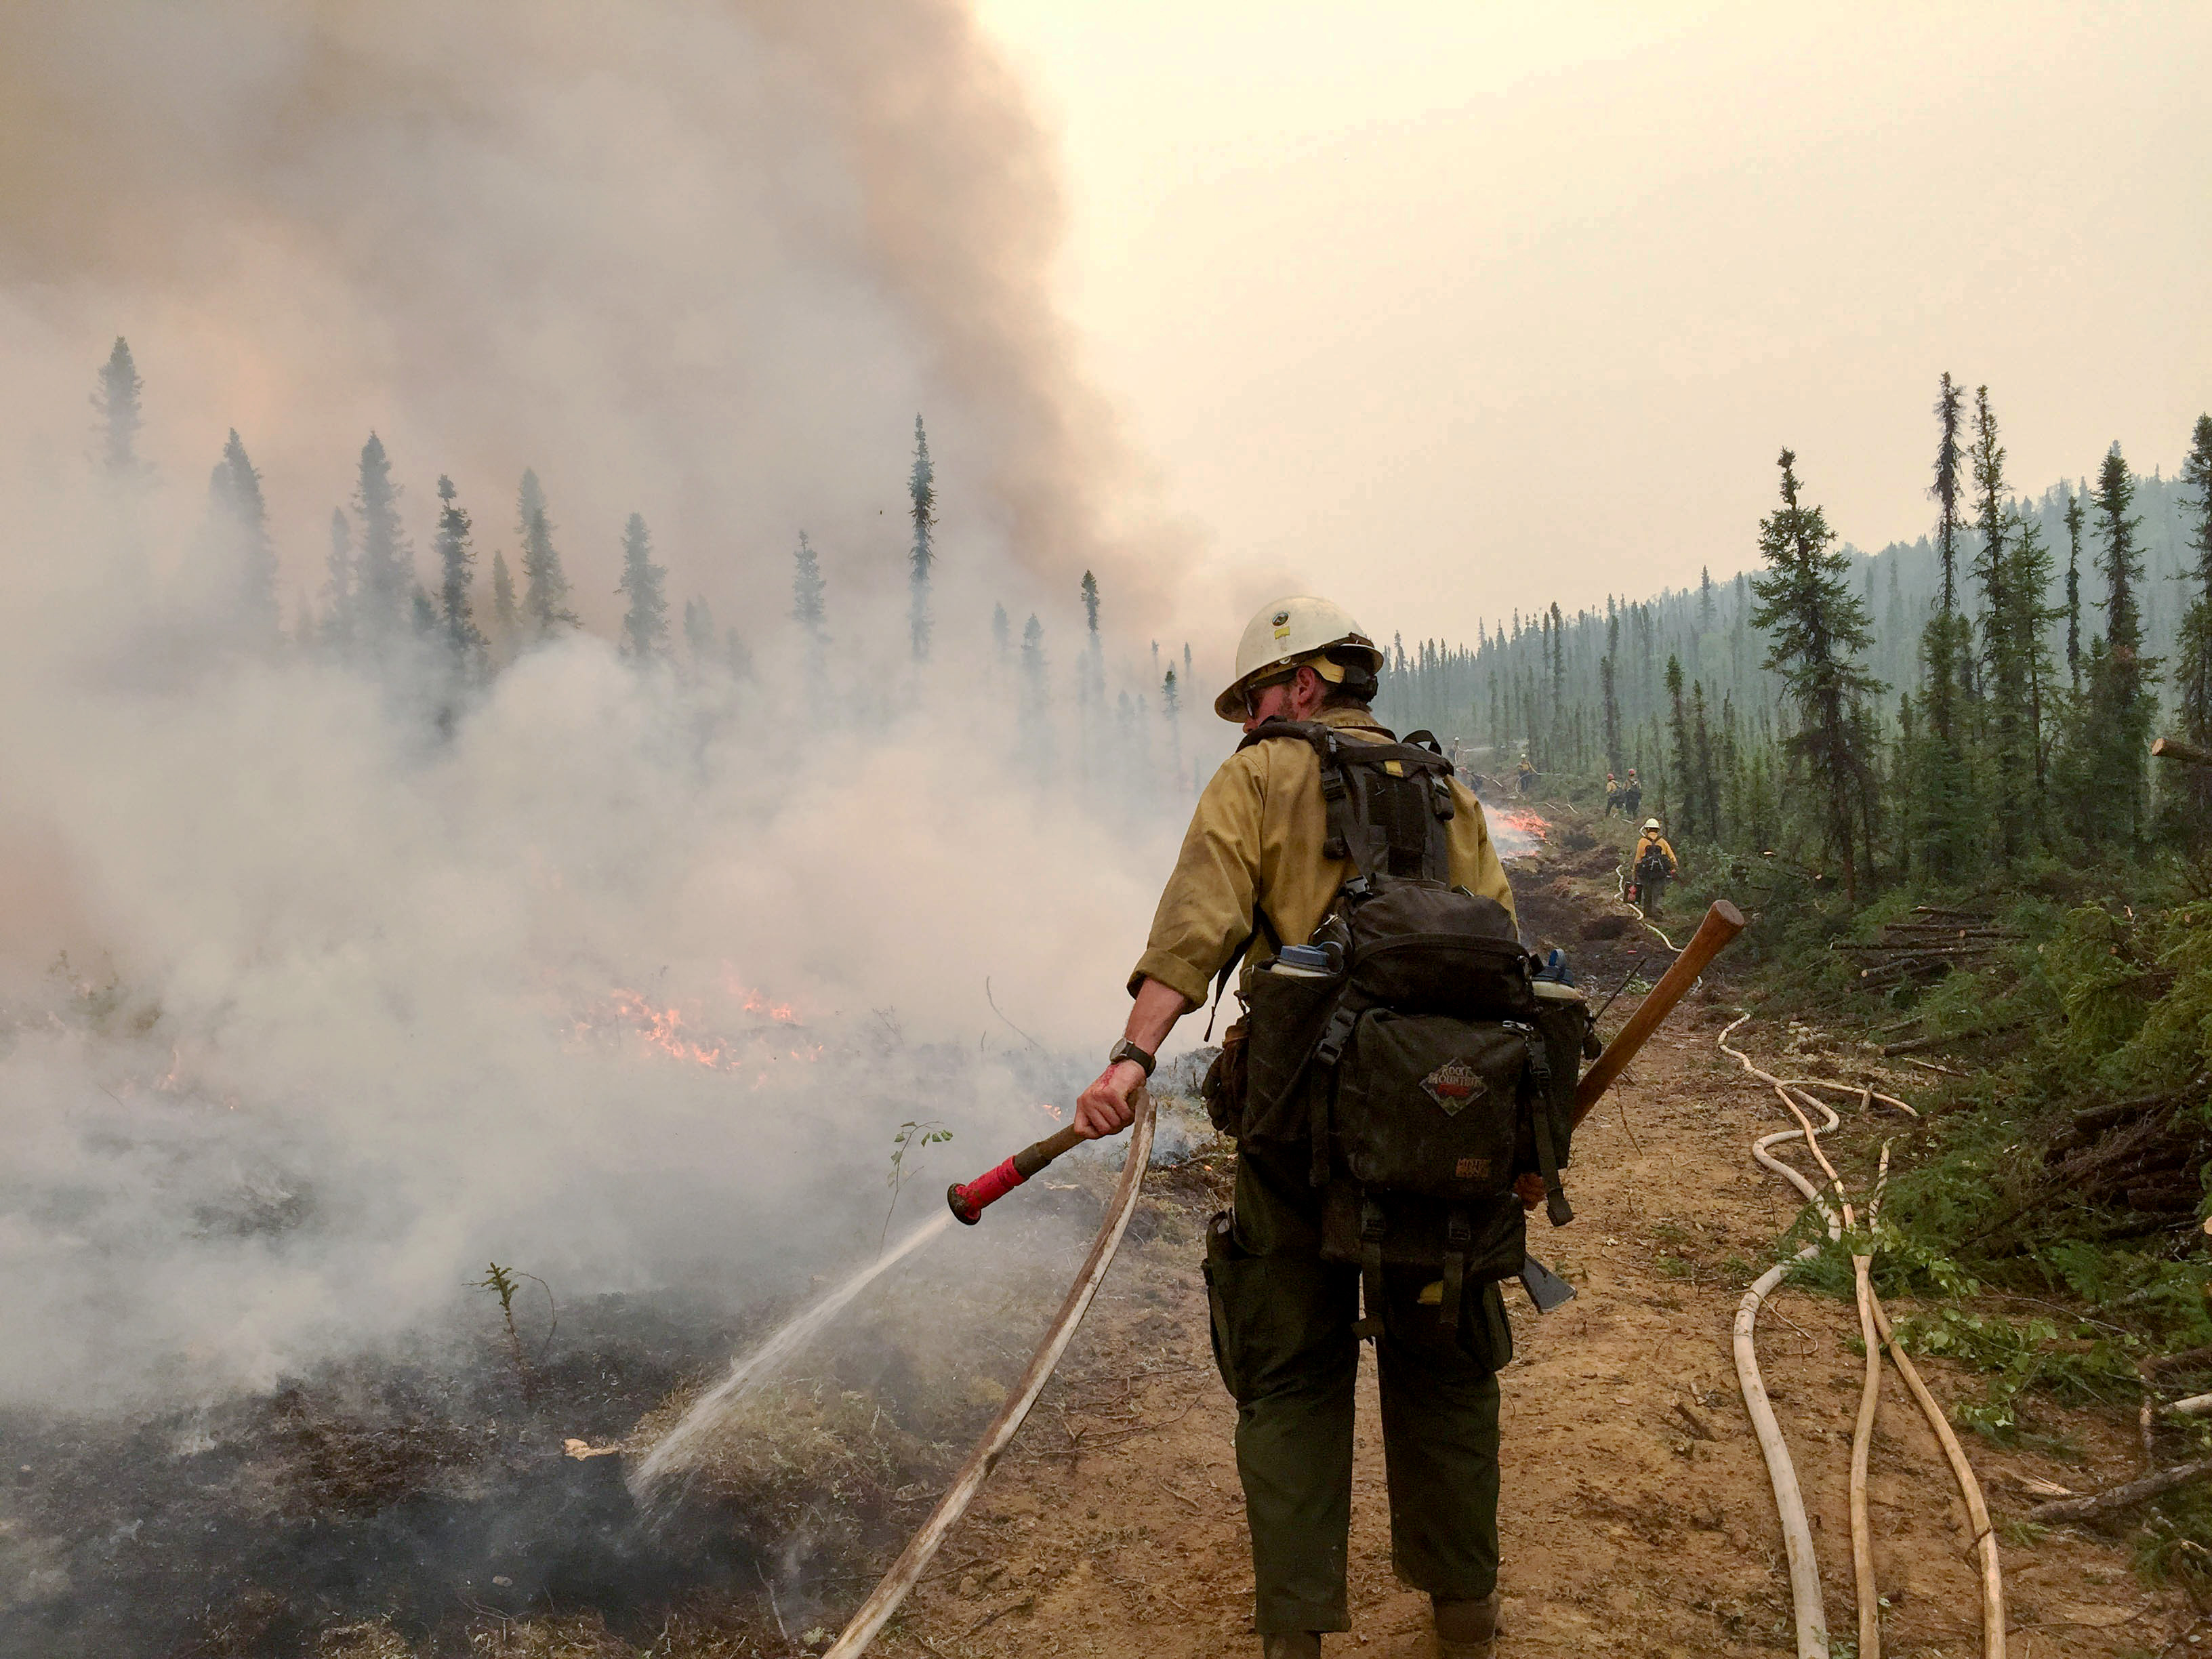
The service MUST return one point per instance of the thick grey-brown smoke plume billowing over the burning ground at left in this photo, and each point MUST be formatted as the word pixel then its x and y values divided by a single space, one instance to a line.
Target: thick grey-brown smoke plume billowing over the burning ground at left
pixel 331 974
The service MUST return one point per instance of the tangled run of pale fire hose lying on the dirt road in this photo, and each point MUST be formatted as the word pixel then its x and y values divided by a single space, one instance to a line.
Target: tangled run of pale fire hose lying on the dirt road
pixel 1879 1337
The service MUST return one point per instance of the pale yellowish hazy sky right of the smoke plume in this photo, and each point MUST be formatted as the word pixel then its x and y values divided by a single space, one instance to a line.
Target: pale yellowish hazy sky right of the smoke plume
pixel 1452 309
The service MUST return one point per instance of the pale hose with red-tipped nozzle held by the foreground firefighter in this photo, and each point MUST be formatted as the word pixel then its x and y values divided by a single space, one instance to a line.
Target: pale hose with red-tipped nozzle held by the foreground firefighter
pixel 910 1565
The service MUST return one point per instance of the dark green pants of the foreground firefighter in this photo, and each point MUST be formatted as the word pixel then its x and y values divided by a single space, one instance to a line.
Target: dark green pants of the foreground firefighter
pixel 1284 1344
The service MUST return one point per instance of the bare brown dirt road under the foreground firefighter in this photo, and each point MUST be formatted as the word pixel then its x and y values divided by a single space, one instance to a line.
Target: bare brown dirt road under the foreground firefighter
pixel 1638 1516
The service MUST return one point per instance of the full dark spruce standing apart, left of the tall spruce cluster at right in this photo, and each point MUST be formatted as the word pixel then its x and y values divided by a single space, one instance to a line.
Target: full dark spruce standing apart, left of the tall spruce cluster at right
pixel 1819 629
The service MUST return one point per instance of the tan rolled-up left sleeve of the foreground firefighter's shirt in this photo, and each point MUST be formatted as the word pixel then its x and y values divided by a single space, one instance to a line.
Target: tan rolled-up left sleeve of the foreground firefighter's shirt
pixel 1207 910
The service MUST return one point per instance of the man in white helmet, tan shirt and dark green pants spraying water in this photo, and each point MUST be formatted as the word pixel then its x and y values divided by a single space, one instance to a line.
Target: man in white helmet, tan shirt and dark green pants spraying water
pixel 1253 866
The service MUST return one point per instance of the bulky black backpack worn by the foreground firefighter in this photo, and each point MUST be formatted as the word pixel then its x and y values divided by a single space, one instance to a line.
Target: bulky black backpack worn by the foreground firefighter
pixel 1421 1065
